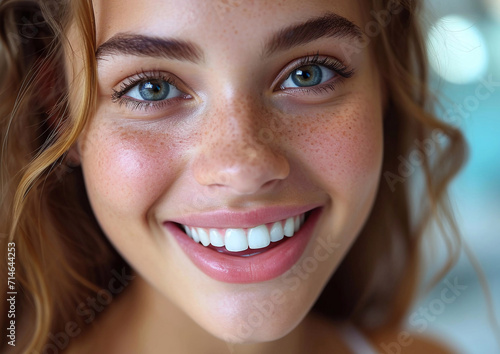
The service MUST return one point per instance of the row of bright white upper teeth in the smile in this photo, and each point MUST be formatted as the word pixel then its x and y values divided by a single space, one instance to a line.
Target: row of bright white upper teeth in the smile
pixel 237 240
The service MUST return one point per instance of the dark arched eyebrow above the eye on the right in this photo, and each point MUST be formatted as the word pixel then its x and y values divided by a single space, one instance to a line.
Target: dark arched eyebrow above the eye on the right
pixel 329 25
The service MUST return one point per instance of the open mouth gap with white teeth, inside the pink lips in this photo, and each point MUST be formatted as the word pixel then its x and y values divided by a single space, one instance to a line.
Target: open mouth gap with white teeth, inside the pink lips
pixel 245 242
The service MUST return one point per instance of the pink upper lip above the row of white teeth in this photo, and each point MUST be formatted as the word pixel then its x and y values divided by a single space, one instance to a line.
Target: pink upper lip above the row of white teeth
pixel 225 218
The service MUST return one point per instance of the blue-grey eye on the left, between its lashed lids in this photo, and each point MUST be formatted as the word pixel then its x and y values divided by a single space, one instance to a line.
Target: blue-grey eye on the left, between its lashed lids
pixel 153 90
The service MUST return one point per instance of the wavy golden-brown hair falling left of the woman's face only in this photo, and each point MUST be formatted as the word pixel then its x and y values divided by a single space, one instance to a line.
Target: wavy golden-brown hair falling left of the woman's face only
pixel 62 255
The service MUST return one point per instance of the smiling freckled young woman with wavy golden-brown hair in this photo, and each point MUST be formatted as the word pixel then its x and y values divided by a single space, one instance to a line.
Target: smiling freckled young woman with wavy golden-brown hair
pixel 196 176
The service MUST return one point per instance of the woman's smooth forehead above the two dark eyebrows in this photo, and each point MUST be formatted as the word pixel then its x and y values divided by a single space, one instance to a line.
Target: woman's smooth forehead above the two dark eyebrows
pixel 215 21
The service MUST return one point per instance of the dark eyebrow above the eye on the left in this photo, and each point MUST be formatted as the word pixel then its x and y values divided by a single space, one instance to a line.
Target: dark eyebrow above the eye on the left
pixel 146 46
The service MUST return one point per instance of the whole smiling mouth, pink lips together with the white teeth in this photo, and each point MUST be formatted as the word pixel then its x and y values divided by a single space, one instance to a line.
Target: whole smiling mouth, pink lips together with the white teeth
pixel 250 253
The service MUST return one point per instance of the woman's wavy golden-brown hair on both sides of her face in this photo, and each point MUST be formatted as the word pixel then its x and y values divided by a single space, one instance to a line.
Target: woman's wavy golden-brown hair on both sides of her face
pixel 62 256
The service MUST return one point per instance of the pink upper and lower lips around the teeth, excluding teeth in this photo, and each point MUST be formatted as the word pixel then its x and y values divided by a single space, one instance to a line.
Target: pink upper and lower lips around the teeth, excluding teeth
pixel 266 265
